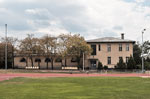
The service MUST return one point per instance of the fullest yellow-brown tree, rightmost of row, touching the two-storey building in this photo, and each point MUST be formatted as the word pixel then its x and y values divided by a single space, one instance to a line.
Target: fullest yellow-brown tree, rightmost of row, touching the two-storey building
pixel 77 46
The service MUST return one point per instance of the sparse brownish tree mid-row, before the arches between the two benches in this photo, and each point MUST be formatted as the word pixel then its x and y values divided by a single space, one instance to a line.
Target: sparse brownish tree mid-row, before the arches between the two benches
pixel 48 44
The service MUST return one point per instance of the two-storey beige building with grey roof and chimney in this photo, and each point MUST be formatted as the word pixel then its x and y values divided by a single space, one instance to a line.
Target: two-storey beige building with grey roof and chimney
pixel 109 50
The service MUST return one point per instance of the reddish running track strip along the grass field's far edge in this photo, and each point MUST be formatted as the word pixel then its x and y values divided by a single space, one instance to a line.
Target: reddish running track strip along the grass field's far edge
pixel 7 76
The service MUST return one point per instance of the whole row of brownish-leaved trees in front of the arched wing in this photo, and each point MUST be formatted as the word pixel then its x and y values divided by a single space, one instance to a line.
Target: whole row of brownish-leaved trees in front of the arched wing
pixel 62 46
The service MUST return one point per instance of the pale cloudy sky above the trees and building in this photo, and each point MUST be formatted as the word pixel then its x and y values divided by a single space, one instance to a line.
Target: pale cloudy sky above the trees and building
pixel 89 18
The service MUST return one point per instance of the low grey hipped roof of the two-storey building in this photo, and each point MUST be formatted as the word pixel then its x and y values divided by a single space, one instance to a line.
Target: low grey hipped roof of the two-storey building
pixel 110 40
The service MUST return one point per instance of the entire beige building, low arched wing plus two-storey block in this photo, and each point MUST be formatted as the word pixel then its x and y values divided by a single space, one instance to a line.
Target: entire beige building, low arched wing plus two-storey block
pixel 107 50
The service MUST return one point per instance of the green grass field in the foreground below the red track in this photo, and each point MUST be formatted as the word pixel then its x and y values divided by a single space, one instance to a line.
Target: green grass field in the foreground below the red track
pixel 76 88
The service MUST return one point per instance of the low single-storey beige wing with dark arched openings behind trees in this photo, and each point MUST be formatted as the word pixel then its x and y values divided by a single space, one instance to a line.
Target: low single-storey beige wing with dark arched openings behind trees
pixel 55 63
